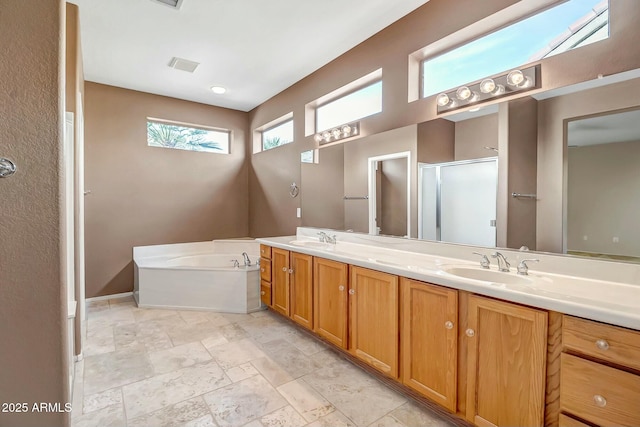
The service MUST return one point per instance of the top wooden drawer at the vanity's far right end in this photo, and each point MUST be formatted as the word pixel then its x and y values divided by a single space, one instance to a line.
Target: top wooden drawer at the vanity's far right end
pixel 606 342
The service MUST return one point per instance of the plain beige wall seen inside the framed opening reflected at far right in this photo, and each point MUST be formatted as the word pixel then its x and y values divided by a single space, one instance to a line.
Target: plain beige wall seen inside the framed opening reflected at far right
pixel 603 198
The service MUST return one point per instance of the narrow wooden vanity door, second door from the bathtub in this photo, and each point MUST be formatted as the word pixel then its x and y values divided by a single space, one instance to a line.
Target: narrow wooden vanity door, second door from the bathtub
pixel 302 289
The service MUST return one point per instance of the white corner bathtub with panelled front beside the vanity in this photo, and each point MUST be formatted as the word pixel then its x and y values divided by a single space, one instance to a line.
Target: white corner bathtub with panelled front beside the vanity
pixel 198 276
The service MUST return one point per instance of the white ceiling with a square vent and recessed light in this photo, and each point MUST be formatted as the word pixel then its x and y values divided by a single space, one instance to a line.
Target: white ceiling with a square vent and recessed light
pixel 254 48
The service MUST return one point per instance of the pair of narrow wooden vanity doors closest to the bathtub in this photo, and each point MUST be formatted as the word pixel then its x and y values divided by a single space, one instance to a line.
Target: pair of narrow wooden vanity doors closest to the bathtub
pixel 292 285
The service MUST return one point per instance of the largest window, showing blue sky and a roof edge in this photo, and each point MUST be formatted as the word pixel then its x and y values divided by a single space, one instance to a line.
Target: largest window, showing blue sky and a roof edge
pixel 570 25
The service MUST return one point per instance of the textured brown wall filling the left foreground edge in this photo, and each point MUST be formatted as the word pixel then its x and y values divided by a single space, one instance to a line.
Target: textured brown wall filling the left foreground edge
pixel 33 306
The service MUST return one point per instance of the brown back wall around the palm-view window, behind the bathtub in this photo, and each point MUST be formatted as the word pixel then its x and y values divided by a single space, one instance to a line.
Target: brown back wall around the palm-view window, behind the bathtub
pixel 143 195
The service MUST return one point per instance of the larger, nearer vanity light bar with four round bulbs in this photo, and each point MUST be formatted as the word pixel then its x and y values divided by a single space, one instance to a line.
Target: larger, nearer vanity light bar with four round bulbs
pixel 514 81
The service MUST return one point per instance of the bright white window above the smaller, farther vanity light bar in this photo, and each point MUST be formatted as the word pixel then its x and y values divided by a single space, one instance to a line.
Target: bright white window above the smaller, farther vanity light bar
pixel 356 105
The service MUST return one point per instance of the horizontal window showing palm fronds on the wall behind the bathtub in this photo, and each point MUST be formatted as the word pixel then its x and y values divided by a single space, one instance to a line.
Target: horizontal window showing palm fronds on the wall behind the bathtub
pixel 171 135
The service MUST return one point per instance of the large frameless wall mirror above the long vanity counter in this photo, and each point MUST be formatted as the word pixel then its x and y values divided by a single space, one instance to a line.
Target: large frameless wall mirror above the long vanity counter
pixel 547 190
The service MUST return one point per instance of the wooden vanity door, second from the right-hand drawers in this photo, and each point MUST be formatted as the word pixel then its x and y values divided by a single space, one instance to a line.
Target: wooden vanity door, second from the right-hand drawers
pixel 430 340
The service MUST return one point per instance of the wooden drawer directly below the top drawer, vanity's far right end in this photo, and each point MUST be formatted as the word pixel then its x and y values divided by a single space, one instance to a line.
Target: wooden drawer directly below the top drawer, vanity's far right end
pixel 598 393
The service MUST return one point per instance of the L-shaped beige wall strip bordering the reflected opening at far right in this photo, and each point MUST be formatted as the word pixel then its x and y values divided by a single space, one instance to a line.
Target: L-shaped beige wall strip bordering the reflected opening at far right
pixel 551 174
